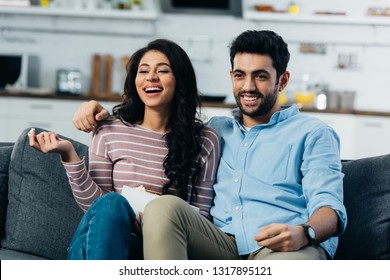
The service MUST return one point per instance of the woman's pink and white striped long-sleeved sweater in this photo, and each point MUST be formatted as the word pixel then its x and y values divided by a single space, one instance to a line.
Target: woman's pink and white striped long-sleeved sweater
pixel 133 155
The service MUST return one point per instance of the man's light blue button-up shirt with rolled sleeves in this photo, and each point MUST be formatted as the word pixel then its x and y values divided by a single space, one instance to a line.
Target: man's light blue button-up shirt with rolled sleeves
pixel 279 172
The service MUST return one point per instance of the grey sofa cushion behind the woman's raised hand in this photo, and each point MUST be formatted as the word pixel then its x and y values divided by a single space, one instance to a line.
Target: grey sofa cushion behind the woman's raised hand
pixel 42 214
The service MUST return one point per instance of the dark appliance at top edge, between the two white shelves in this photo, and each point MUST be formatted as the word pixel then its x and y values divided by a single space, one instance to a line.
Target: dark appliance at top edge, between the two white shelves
pixel 222 7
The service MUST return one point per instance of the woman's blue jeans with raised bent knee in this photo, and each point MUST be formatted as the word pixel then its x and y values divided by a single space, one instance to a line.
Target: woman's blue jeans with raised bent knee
pixel 105 232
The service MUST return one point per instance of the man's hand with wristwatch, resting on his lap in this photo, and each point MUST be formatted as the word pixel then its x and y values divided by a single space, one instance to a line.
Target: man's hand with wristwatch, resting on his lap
pixel 281 237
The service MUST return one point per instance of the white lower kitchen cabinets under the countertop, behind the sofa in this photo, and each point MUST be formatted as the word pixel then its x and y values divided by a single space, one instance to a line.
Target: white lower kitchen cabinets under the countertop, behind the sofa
pixel 361 134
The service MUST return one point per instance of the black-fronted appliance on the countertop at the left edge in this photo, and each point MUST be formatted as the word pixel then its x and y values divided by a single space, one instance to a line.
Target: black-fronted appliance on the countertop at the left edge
pixel 18 71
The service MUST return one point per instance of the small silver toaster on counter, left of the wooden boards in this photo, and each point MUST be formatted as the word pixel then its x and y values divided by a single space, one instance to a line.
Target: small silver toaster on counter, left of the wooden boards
pixel 69 81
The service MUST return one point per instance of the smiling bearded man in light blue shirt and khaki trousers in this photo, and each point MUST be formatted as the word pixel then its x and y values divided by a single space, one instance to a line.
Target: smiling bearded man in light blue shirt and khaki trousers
pixel 278 193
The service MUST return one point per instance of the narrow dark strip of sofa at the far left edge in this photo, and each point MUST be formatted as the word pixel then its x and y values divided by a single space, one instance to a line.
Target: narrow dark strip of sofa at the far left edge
pixel 5 155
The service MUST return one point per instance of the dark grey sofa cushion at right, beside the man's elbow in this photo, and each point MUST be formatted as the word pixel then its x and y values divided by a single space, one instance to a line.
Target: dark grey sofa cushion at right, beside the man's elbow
pixel 367 200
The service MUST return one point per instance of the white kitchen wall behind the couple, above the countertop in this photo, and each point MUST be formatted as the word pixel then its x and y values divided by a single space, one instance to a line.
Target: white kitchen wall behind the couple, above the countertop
pixel 206 39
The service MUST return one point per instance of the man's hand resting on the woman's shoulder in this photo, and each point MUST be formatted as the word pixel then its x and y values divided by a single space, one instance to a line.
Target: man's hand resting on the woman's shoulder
pixel 87 116
